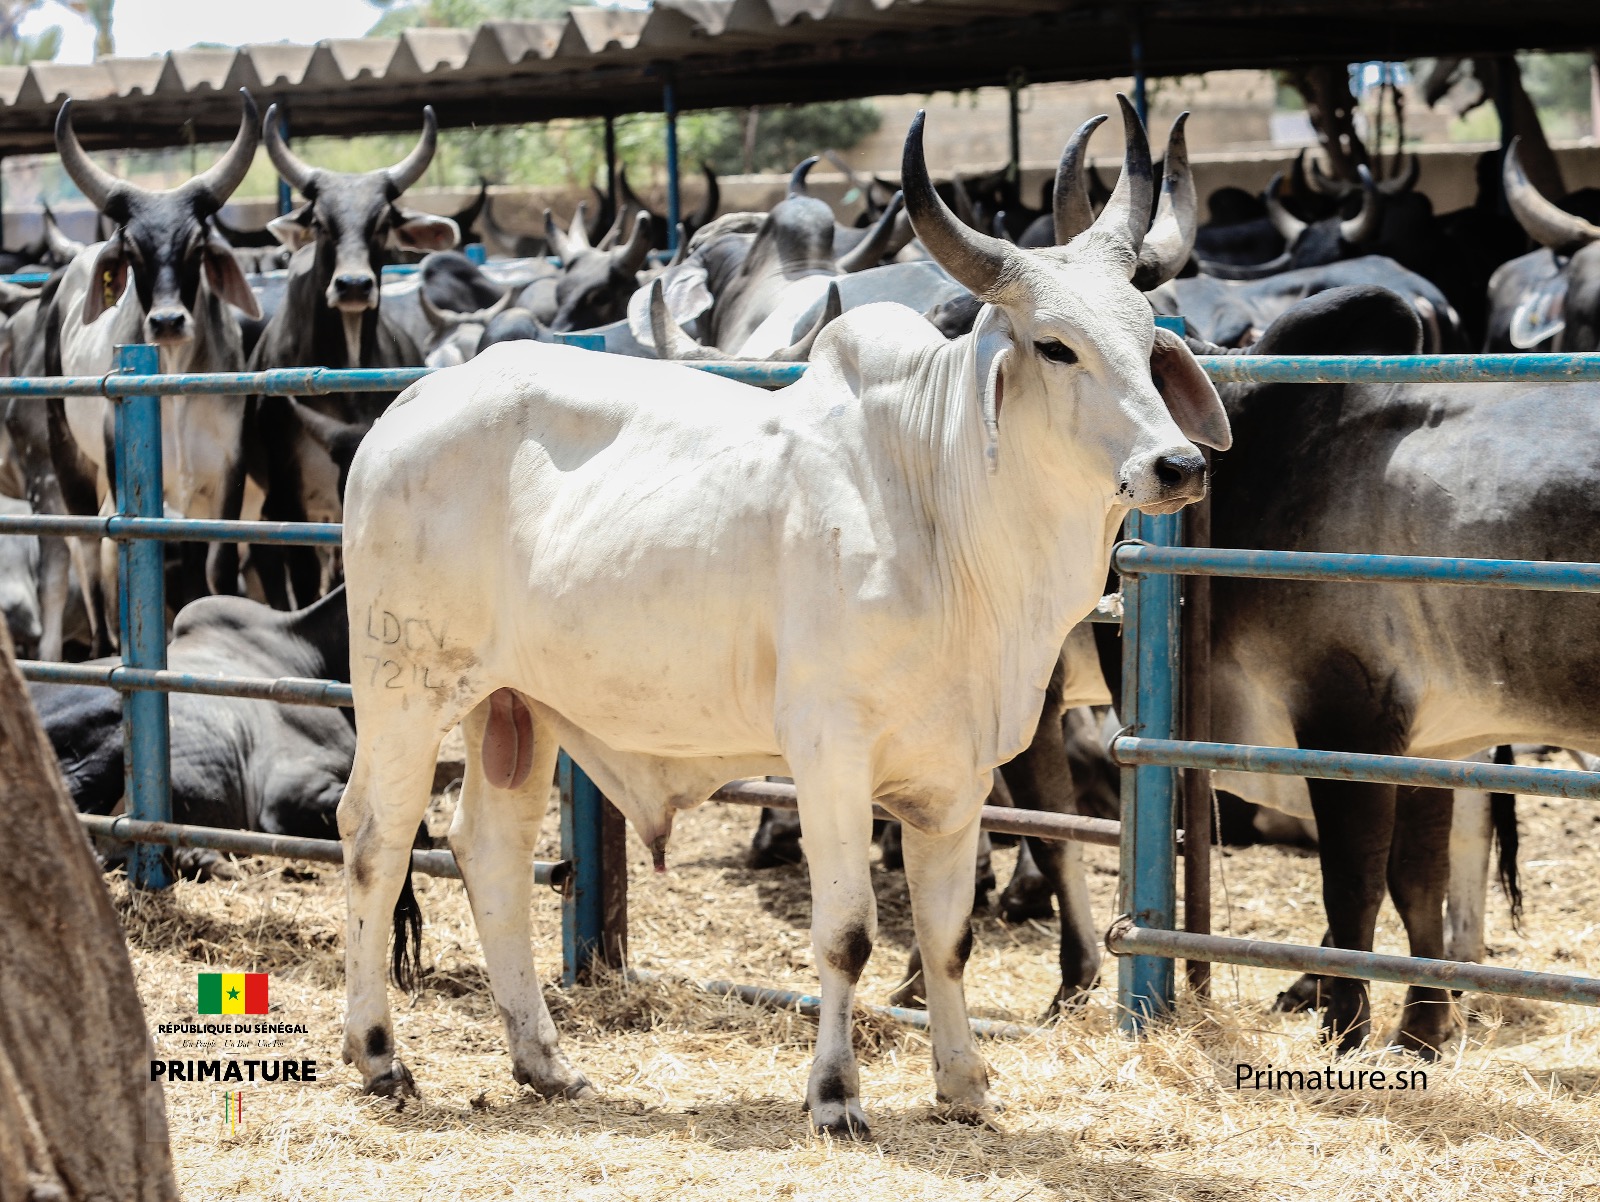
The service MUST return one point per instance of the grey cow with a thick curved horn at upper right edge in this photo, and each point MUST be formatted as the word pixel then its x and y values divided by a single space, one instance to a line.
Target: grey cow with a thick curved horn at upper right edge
pixel 1550 298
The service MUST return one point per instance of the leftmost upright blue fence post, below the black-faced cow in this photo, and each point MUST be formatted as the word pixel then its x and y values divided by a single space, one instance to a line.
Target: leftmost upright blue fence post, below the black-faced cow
pixel 143 611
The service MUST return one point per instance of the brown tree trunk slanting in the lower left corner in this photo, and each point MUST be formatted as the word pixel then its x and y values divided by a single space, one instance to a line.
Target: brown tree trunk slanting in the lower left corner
pixel 79 1115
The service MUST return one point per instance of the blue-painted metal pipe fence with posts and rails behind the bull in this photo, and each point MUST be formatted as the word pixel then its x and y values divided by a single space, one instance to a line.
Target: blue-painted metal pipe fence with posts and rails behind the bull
pixel 591 873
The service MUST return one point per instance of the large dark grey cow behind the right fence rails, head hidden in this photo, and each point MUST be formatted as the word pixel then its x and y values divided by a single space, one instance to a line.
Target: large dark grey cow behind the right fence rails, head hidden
pixel 1490 471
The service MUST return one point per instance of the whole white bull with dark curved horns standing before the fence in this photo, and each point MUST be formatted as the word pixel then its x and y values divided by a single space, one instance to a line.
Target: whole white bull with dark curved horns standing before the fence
pixel 863 583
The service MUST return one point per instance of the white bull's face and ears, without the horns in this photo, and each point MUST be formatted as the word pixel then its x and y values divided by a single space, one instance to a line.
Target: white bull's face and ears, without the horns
pixel 1084 366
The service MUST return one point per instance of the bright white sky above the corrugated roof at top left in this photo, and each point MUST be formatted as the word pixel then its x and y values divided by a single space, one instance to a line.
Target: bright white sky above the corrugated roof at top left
pixel 158 26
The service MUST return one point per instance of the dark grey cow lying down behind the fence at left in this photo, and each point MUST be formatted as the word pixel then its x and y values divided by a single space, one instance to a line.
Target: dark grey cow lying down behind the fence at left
pixel 252 766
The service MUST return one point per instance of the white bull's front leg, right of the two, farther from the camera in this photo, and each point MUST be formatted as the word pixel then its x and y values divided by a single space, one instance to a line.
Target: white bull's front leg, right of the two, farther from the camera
pixel 940 873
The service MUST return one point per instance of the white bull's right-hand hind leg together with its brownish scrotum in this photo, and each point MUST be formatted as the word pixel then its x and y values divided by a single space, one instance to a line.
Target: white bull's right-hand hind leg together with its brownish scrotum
pixel 505 795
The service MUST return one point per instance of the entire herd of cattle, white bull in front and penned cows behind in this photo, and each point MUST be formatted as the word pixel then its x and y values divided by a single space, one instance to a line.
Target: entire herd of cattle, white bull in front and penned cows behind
pixel 866 564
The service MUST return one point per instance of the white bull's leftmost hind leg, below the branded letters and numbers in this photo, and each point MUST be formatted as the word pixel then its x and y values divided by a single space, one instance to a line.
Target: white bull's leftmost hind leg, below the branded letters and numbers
pixel 378 820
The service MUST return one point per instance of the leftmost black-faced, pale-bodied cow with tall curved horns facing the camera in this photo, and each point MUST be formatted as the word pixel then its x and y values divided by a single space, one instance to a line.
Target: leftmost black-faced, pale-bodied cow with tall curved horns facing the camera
pixel 169 278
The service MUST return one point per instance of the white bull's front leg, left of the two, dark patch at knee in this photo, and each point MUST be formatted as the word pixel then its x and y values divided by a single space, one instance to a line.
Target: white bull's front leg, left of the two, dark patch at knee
pixel 836 814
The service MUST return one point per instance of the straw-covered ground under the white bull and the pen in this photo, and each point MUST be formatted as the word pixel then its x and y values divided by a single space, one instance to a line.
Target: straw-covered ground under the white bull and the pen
pixel 702 1096
